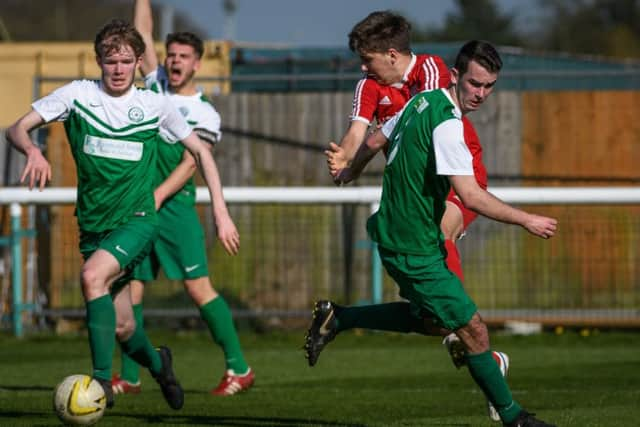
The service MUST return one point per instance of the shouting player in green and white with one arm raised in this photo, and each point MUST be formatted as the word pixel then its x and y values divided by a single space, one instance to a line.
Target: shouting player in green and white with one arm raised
pixel 182 254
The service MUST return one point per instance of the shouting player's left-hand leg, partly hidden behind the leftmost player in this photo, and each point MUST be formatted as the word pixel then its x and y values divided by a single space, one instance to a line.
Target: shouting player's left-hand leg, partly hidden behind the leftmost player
pixel 128 381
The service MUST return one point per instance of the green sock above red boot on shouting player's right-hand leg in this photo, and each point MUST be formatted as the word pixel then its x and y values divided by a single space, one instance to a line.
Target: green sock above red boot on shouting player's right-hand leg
pixel 217 316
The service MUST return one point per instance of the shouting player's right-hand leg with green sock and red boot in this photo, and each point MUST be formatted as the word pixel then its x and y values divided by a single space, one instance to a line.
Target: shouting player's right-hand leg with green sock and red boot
pixel 216 314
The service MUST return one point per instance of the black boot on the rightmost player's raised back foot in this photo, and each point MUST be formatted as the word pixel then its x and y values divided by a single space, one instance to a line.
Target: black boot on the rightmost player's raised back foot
pixel 323 329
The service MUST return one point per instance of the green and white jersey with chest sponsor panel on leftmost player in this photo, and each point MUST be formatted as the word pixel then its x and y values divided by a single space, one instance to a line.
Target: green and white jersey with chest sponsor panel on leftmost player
pixel 114 143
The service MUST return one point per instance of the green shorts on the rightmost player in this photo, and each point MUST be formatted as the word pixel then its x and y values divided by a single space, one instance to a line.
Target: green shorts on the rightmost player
pixel 432 290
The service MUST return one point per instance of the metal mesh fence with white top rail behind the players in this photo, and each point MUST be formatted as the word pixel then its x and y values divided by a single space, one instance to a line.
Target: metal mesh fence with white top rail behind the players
pixel 301 244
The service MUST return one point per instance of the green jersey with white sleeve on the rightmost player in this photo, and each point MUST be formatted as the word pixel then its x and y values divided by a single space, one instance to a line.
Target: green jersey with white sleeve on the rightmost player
pixel 426 146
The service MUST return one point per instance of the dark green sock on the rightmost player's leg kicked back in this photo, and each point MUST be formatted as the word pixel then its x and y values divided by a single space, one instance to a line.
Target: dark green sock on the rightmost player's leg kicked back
pixel 394 316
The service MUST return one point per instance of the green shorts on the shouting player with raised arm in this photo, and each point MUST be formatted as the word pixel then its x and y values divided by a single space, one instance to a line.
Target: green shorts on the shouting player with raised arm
pixel 180 247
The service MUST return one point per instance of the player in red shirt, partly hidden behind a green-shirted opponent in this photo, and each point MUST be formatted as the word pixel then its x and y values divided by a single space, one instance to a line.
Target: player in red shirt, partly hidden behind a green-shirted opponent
pixel 394 75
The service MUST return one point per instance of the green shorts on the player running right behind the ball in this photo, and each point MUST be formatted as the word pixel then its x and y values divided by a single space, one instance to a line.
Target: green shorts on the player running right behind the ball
pixel 130 243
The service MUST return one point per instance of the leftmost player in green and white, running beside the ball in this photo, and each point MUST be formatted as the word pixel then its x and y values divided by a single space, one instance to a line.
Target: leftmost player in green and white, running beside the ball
pixel 113 128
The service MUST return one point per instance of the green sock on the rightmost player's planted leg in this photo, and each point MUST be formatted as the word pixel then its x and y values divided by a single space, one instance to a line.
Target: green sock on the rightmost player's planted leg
pixel 487 375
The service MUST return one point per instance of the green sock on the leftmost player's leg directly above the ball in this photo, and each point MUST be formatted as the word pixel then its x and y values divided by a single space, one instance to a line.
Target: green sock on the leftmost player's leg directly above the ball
pixel 101 325
